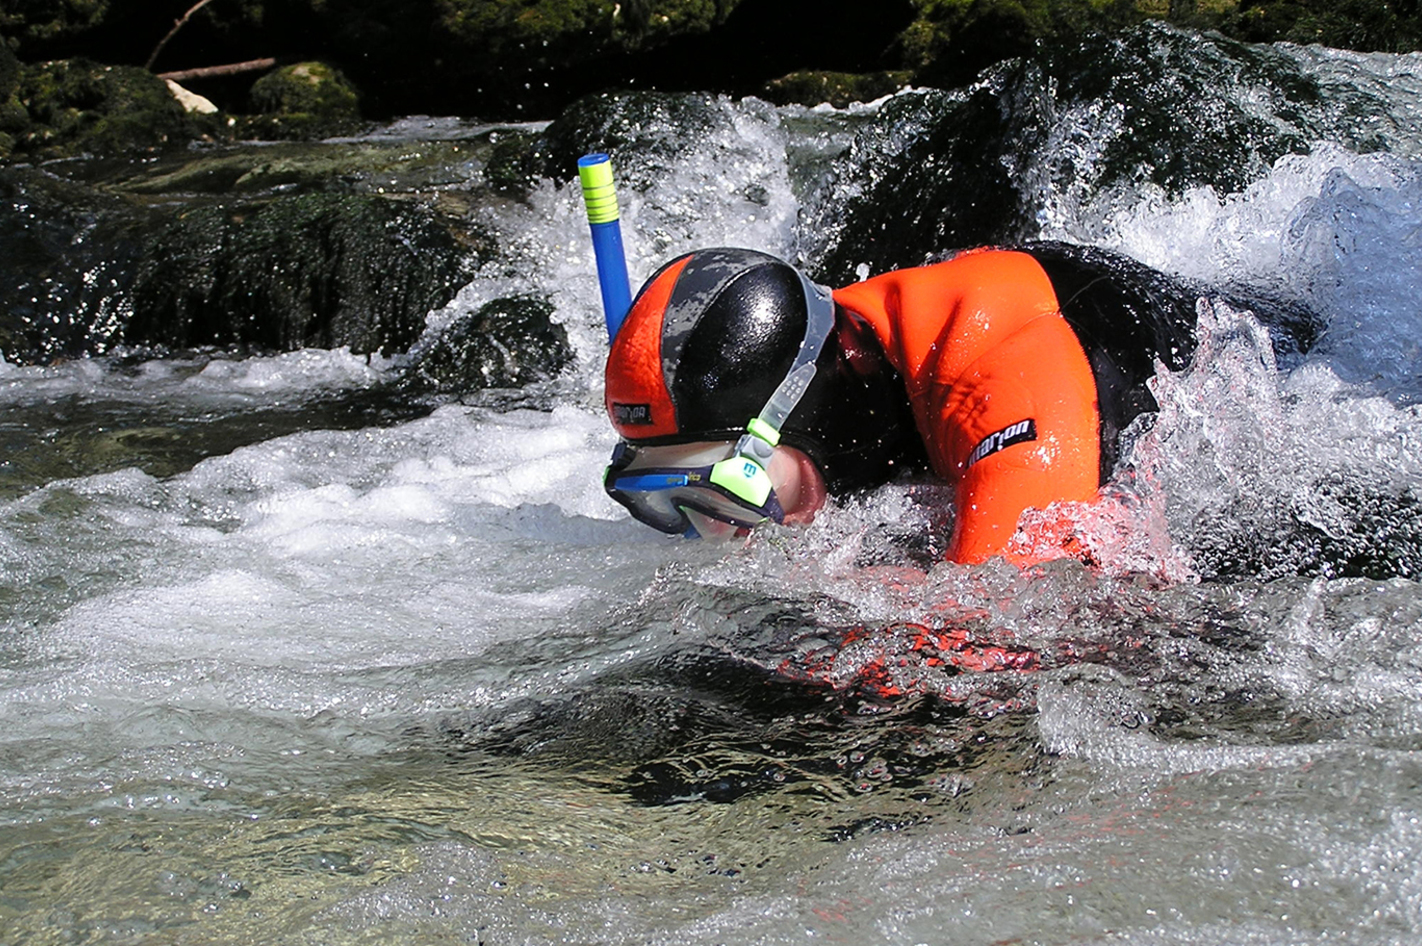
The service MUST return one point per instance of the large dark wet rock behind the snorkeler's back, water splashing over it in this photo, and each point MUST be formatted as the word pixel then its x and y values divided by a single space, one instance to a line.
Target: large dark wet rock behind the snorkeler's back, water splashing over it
pixel 1153 106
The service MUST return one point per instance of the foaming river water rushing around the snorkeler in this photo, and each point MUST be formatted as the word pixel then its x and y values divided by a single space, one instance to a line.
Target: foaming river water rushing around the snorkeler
pixel 282 662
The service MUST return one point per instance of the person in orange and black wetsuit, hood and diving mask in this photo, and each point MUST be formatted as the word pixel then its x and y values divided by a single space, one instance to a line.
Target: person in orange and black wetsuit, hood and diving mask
pixel 746 393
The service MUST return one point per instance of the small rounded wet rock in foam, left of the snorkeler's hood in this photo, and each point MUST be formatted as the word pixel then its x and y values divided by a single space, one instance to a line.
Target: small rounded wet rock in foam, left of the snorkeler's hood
pixel 507 344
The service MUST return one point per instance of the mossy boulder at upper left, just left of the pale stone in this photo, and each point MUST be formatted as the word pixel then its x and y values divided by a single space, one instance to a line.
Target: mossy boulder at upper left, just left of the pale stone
pixel 76 106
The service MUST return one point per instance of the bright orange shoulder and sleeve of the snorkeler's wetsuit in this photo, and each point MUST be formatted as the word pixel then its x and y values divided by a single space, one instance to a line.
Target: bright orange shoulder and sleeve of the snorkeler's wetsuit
pixel 983 348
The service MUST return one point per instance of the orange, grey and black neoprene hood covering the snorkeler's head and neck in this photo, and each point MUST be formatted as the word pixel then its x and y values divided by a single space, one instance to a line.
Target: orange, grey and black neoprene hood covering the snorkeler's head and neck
pixel 713 334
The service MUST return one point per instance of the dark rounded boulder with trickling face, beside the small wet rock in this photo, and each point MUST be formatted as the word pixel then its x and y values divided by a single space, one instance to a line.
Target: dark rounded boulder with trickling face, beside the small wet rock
pixel 308 271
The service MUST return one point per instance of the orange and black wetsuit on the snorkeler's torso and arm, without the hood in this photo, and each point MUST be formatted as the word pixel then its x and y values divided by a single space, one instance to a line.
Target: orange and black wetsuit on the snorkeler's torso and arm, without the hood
pixel 1019 403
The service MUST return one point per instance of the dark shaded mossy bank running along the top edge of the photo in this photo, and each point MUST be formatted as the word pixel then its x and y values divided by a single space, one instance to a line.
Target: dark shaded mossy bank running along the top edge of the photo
pixel 530 59
